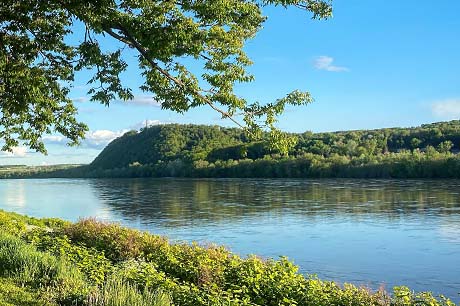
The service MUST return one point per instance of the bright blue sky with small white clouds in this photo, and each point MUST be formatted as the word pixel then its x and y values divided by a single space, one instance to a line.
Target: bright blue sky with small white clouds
pixel 379 63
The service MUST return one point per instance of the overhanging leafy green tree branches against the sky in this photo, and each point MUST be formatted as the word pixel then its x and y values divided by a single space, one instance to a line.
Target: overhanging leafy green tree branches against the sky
pixel 38 63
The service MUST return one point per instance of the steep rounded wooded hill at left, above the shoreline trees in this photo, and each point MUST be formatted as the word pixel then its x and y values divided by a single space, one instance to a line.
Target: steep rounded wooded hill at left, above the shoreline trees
pixel 165 143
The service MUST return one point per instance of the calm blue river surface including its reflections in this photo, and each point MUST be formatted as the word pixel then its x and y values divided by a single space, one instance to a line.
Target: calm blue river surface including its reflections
pixel 368 232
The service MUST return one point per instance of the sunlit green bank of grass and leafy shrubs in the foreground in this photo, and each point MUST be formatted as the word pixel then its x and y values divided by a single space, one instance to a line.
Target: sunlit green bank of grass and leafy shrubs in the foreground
pixel 53 262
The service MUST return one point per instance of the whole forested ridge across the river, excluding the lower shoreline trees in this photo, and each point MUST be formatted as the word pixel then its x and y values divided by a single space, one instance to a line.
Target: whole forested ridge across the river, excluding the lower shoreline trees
pixel 163 143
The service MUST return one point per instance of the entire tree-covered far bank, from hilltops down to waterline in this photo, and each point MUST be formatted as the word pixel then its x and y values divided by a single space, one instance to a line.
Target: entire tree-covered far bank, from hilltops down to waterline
pixel 212 151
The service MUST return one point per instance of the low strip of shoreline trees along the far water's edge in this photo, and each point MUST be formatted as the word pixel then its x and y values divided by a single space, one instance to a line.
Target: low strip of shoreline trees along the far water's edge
pixel 405 164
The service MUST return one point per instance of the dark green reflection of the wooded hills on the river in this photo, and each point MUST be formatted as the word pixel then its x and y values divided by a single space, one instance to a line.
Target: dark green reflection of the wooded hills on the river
pixel 173 202
